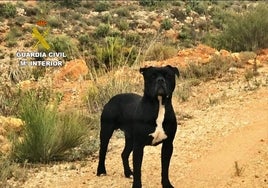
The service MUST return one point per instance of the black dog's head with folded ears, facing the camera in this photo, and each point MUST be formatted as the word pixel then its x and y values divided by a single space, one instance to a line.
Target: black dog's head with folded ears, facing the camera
pixel 159 81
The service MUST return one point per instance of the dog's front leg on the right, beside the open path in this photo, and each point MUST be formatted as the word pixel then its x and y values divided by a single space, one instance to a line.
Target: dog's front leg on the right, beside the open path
pixel 166 153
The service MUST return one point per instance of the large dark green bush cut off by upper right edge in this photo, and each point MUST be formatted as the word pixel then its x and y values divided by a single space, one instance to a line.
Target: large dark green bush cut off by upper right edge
pixel 246 32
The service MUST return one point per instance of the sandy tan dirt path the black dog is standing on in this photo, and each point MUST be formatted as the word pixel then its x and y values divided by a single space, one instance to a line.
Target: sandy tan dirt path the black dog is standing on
pixel 205 150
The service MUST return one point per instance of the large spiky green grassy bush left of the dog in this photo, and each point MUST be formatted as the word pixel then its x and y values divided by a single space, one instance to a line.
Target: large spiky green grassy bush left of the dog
pixel 47 135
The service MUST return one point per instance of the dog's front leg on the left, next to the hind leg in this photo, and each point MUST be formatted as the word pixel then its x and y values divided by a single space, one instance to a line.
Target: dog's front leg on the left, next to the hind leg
pixel 137 161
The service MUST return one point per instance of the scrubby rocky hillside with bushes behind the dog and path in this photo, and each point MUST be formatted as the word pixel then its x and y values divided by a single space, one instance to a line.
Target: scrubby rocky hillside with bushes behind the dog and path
pixel 50 115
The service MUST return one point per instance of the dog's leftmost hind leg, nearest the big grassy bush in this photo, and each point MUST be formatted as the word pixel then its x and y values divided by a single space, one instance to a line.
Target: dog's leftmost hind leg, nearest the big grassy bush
pixel 105 135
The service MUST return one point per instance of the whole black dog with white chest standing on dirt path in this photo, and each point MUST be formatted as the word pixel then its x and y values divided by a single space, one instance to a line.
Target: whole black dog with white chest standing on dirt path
pixel 145 120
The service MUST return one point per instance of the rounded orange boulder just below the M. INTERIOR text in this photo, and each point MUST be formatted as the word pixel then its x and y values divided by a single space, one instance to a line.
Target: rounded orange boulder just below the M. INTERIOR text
pixel 72 71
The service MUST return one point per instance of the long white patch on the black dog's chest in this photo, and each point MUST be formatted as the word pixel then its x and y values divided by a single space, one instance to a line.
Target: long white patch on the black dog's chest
pixel 159 133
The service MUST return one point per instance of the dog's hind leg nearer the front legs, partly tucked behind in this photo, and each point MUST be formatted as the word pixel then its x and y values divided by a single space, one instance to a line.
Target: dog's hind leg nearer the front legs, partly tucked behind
pixel 125 156
